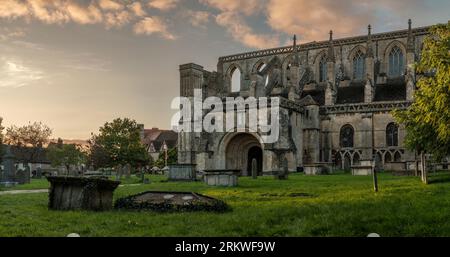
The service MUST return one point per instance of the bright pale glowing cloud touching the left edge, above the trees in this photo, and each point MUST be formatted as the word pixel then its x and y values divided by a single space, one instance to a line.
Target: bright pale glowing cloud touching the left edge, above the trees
pixel 15 74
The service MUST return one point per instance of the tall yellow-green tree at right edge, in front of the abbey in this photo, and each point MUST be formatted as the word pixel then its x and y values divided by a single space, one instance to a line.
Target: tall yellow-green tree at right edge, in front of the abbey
pixel 427 120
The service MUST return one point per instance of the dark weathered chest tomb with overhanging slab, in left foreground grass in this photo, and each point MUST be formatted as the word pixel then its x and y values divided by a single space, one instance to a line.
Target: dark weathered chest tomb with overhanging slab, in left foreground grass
pixel 81 193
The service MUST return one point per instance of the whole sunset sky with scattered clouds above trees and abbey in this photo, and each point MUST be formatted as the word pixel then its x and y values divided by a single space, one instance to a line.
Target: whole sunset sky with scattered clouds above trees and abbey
pixel 75 65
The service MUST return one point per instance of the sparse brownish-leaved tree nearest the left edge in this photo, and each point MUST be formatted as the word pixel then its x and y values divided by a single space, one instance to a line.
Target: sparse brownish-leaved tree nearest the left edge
pixel 31 138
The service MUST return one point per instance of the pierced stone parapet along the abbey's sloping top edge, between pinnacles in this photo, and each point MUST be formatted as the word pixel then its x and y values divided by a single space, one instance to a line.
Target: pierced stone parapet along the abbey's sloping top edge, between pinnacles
pixel 322 44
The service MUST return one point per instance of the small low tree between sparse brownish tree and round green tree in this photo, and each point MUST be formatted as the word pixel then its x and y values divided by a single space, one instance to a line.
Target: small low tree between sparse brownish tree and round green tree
pixel 65 155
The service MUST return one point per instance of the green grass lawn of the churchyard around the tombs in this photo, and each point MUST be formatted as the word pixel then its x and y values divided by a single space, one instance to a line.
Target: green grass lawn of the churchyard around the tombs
pixel 333 205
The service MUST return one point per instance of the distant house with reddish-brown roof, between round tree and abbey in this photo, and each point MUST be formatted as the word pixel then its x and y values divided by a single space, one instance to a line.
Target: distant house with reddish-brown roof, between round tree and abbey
pixel 156 140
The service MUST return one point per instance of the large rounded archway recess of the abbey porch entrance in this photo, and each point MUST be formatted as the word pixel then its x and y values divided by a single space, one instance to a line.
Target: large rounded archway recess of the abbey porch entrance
pixel 241 150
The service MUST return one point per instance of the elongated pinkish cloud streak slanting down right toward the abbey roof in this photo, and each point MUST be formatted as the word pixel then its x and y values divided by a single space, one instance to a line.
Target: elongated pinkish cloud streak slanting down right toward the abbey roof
pixel 241 32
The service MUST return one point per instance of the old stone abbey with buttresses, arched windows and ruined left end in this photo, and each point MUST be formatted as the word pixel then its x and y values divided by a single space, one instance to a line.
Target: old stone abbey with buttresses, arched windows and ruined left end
pixel 321 94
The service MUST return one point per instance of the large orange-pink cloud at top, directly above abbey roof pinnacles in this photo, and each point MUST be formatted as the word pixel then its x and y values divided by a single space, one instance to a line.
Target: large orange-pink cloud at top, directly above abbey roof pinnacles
pixel 312 20
